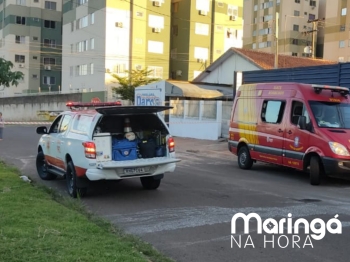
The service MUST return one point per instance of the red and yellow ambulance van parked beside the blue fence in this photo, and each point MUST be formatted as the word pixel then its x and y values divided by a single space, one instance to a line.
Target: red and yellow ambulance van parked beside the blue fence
pixel 302 126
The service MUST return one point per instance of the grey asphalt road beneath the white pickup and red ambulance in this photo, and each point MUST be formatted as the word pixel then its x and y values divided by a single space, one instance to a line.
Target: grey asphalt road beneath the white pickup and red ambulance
pixel 189 217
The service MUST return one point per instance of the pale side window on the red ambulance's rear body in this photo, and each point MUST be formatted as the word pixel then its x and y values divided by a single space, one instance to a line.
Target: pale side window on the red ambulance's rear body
pixel 272 111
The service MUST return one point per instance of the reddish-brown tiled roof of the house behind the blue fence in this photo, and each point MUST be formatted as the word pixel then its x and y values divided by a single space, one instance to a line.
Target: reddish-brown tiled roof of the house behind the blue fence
pixel 267 60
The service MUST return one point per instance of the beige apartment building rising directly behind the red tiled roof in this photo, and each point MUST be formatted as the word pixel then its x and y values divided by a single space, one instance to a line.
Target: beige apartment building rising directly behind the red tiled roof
pixel 296 32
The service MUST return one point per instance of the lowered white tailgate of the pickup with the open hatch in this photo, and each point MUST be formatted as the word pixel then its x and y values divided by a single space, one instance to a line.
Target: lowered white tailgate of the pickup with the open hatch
pixel 137 162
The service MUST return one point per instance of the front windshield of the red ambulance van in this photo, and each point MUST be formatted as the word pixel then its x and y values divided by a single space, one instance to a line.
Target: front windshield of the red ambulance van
pixel 330 114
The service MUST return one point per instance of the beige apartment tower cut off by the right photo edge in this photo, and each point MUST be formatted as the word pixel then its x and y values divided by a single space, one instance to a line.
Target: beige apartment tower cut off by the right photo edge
pixel 336 30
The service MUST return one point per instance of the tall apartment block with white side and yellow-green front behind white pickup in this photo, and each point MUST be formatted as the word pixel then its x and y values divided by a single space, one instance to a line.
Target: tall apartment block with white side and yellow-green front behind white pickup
pixel 105 37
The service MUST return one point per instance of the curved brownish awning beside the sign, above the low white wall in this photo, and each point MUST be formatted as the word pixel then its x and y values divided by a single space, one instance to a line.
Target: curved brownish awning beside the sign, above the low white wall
pixel 185 89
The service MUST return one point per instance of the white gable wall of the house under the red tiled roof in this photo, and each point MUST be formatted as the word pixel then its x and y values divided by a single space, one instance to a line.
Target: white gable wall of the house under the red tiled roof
pixel 223 74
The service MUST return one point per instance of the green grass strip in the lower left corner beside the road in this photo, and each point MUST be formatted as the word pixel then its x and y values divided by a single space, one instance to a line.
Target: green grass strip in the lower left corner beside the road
pixel 38 224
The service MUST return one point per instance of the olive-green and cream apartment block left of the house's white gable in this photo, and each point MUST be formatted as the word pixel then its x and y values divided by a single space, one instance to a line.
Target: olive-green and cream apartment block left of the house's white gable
pixel 202 30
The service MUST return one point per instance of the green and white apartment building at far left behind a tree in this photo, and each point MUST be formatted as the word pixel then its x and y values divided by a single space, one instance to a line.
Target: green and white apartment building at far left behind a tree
pixel 31 38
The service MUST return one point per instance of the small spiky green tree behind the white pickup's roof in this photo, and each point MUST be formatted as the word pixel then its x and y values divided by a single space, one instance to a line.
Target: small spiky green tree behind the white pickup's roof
pixel 134 79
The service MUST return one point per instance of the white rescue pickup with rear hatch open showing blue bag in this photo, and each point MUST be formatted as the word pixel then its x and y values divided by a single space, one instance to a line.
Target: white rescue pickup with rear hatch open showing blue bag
pixel 108 142
